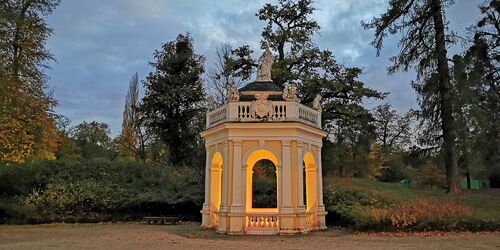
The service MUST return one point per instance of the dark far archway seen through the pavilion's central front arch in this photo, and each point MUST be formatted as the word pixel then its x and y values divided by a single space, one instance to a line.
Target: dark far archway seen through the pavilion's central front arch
pixel 264 185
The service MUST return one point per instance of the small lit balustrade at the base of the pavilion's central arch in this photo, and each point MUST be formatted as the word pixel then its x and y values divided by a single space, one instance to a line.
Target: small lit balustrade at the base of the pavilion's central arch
pixel 262 224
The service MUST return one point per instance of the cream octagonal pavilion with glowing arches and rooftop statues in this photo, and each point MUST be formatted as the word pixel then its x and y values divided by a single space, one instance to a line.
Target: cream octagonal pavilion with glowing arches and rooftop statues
pixel 263 121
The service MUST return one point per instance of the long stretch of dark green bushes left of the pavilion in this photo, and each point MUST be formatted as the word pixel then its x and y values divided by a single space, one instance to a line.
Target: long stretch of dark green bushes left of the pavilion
pixel 97 190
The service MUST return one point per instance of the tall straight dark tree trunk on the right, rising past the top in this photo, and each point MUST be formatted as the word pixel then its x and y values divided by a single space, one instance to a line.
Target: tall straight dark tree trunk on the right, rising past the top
pixel 447 120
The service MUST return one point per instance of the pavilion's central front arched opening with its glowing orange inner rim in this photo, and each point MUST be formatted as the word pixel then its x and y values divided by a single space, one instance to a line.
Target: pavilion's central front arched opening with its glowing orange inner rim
pixel 263 159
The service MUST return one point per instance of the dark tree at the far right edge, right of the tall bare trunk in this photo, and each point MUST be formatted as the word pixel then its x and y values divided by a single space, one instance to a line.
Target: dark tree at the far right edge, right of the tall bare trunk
pixel 477 74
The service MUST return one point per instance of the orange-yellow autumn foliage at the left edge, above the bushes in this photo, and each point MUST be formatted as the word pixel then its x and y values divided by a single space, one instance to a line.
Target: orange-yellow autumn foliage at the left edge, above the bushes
pixel 27 130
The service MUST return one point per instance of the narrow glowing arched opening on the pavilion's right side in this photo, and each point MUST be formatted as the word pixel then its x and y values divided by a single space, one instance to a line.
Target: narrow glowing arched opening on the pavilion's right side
pixel 311 196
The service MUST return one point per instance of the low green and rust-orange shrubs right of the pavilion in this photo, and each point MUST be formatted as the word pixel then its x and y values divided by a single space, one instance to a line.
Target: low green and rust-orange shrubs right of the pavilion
pixel 364 210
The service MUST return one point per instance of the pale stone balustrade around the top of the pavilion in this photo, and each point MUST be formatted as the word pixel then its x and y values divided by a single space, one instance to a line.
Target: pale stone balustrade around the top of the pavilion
pixel 278 111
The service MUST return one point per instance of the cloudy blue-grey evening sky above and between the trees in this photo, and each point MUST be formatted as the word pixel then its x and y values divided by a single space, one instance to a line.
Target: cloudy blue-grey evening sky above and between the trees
pixel 98 45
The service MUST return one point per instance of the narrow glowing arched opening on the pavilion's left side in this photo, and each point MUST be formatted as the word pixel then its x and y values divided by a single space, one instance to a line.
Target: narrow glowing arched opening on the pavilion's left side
pixel 215 186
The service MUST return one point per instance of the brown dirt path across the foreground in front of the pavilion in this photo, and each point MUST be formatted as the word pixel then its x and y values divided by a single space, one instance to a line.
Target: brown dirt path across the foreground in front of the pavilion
pixel 137 236
